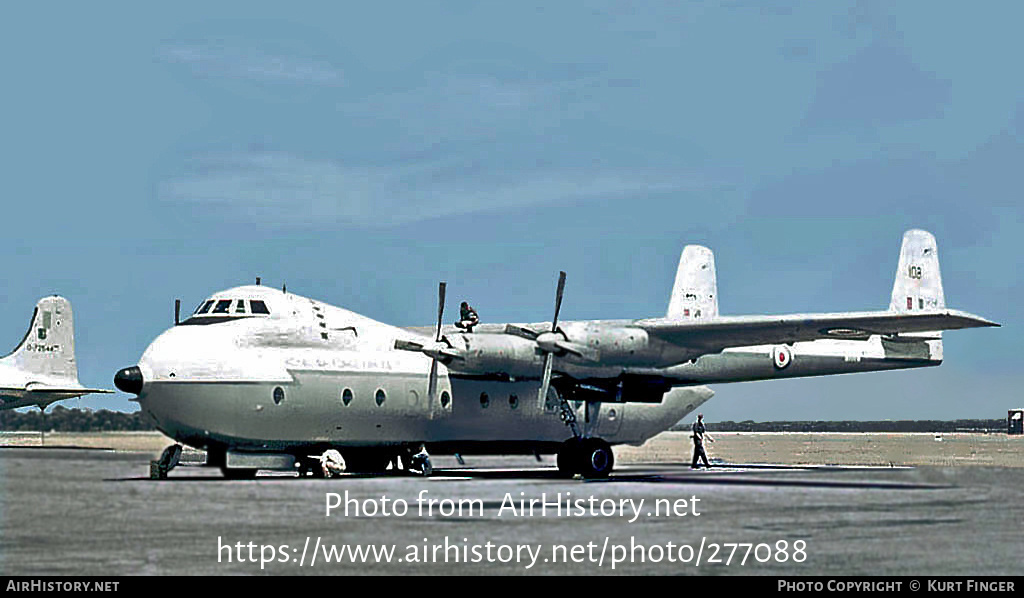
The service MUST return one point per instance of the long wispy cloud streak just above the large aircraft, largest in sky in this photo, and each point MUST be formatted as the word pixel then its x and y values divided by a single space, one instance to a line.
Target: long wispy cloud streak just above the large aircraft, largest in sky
pixel 283 189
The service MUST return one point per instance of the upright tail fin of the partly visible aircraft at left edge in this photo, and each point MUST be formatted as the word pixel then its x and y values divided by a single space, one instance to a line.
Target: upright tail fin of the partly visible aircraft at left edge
pixel 49 348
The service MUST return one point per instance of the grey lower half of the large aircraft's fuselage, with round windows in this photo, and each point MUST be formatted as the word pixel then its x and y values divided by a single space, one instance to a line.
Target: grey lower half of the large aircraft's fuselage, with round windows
pixel 370 409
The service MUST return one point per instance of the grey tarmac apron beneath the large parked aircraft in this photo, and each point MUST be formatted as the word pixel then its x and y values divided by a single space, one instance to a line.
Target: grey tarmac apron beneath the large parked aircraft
pixel 96 512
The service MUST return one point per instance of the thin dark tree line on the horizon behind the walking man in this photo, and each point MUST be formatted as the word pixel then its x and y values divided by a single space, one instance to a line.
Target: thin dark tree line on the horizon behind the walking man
pixel 884 426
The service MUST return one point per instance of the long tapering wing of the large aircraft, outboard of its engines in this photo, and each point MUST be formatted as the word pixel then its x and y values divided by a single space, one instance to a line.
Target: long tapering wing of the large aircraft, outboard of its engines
pixel 709 336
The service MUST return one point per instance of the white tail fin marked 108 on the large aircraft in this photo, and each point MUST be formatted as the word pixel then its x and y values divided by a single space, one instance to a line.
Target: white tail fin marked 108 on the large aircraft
pixel 919 284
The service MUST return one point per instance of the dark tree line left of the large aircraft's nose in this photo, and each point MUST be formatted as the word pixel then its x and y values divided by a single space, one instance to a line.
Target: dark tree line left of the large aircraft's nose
pixel 62 419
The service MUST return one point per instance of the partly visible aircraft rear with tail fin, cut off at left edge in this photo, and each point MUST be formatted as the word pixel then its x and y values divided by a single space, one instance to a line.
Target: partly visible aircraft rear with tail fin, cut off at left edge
pixel 42 369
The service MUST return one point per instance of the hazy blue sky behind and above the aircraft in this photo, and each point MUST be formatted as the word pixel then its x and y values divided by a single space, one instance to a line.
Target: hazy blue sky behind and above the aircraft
pixel 360 153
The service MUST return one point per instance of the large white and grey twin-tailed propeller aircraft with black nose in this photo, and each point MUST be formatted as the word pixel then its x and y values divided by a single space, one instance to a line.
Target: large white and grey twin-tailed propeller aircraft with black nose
pixel 265 379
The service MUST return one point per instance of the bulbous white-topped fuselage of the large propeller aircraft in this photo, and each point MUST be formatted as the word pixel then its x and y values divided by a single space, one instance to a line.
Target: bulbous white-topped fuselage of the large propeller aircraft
pixel 314 375
